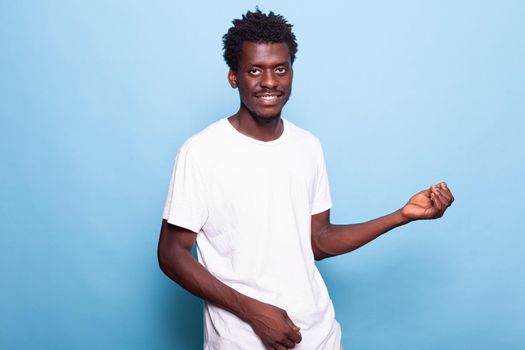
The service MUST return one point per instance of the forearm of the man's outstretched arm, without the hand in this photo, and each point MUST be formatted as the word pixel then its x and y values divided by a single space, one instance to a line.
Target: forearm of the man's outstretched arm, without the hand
pixel 334 240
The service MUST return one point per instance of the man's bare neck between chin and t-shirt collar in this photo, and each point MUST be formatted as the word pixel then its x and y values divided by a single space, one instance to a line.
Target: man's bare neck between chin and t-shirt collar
pixel 257 127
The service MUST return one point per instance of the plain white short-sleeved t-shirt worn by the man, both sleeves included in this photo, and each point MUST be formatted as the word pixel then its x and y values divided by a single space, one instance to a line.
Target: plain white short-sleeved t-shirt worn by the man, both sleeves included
pixel 251 204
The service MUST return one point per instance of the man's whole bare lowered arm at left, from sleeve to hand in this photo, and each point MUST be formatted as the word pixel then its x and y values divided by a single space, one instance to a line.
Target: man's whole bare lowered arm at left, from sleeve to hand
pixel 269 322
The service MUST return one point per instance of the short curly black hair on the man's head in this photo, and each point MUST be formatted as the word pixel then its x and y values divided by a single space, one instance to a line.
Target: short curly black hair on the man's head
pixel 257 27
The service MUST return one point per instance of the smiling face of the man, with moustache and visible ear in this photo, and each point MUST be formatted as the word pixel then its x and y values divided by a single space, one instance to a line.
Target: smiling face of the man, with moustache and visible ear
pixel 264 78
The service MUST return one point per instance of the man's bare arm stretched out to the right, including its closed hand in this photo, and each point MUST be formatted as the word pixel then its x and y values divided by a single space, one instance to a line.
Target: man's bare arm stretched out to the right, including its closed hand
pixel 331 240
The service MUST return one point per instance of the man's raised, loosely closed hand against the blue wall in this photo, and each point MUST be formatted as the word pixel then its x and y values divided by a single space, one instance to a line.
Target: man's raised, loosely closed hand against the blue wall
pixel 428 204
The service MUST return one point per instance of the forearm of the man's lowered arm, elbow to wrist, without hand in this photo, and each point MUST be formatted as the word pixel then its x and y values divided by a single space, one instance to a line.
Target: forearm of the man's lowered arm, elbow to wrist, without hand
pixel 181 267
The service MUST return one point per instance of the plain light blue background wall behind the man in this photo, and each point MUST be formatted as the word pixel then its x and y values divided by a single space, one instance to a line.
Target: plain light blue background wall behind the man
pixel 96 97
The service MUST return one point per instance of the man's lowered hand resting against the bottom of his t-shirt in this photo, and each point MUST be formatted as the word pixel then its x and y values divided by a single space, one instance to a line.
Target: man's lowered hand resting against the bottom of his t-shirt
pixel 273 326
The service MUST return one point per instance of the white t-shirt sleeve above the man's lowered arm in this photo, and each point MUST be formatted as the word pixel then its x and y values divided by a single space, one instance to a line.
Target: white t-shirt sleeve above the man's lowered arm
pixel 185 204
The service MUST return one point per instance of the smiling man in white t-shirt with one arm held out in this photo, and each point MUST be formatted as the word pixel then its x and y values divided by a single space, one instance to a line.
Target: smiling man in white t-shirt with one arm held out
pixel 252 191
